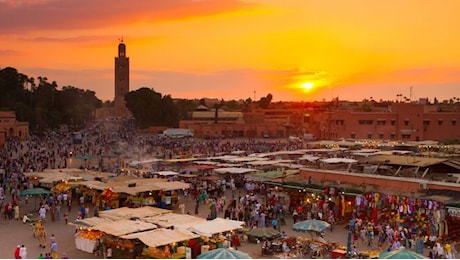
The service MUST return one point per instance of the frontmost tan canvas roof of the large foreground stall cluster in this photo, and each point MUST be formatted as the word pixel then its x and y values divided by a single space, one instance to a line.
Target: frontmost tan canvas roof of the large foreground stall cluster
pixel 161 236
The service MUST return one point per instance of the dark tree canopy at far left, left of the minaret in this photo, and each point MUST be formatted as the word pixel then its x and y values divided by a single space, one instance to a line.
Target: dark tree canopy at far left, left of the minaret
pixel 43 105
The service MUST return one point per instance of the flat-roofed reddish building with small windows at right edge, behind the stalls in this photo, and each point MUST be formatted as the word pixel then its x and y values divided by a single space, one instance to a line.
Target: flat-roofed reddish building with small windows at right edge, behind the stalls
pixel 400 122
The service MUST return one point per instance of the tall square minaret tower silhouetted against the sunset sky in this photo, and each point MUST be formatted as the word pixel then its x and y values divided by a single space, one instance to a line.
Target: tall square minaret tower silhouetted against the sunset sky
pixel 121 81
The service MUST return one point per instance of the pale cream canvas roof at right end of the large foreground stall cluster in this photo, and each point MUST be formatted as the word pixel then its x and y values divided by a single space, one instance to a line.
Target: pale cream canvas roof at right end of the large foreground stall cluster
pixel 216 226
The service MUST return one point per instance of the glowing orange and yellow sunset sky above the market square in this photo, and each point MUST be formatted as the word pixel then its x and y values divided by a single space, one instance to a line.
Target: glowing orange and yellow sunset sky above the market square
pixel 235 49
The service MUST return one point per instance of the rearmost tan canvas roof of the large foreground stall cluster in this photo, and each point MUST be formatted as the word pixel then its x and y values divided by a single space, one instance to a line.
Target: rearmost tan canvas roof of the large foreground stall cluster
pixel 129 213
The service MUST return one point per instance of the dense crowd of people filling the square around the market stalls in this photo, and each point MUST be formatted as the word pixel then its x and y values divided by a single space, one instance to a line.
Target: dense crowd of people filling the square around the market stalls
pixel 252 204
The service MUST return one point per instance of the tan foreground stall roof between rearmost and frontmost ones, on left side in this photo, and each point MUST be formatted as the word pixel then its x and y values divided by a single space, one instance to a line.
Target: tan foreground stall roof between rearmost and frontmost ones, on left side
pixel 124 227
